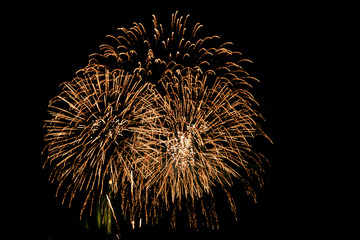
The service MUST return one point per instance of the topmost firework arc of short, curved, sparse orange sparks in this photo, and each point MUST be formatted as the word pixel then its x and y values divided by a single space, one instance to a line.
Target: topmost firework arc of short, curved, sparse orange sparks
pixel 153 54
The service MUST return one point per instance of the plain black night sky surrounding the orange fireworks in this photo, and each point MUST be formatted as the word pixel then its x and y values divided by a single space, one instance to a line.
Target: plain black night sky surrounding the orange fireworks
pixel 310 189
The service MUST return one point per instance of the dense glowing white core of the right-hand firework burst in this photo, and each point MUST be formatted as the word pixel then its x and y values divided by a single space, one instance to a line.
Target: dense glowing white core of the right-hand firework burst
pixel 181 150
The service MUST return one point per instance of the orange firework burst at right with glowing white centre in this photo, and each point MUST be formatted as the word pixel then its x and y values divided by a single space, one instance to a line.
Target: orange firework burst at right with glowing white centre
pixel 199 143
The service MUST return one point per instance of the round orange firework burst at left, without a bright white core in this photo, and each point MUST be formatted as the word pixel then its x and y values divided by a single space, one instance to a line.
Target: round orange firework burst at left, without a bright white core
pixel 90 134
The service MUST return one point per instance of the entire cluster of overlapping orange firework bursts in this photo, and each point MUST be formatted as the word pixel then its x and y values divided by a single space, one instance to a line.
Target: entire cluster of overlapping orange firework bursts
pixel 157 121
